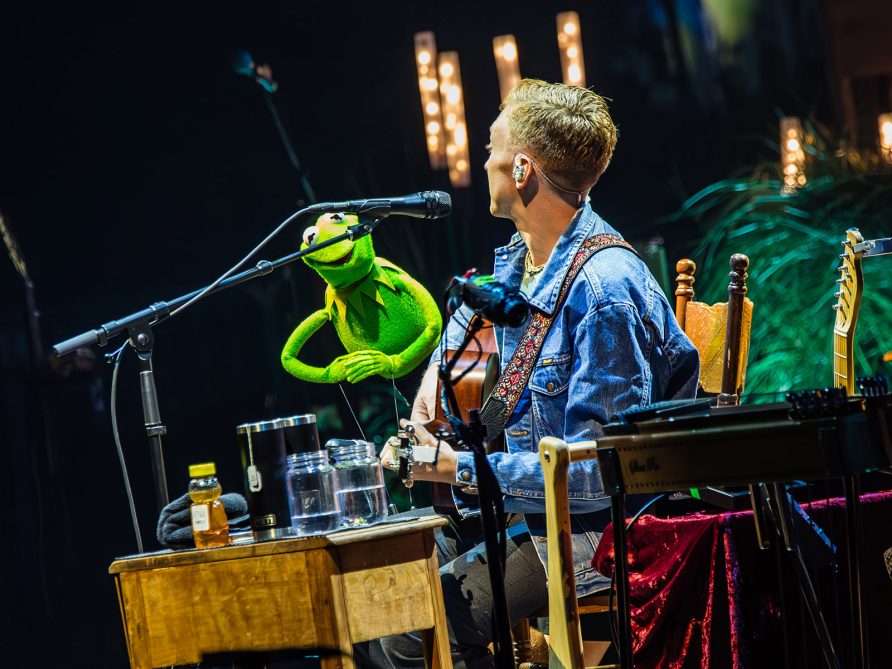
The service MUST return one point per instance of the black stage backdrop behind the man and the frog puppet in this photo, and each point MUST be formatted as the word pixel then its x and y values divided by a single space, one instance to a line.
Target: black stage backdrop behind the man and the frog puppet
pixel 136 166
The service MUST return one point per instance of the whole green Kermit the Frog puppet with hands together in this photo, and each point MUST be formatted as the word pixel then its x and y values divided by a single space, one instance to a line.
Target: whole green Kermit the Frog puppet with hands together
pixel 385 319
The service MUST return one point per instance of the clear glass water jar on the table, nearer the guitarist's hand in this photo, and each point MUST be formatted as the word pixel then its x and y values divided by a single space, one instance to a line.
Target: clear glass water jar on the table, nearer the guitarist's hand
pixel 361 491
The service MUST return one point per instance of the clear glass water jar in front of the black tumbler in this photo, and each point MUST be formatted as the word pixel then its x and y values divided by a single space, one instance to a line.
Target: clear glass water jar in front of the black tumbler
pixel 313 493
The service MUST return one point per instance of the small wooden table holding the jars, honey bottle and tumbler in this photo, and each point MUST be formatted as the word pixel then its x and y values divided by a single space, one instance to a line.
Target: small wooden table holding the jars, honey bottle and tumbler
pixel 324 592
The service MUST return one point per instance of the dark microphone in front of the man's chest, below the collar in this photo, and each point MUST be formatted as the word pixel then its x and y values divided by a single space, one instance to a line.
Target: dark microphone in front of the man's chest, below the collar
pixel 488 298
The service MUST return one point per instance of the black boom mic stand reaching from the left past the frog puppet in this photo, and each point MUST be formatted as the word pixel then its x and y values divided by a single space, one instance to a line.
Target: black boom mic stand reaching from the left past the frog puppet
pixel 138 326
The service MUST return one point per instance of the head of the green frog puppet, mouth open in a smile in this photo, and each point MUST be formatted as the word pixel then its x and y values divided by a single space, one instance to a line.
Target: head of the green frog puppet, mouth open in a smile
pixel 341 264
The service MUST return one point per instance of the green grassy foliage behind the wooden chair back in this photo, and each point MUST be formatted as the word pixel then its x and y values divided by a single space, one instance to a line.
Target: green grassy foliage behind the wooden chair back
pixel 793 243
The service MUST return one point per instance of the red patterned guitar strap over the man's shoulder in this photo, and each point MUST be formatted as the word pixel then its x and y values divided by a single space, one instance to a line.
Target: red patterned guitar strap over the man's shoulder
pixel 513 380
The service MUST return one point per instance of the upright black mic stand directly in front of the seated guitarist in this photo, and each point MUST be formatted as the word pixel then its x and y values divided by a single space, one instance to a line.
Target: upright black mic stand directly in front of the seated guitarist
pixel 492 510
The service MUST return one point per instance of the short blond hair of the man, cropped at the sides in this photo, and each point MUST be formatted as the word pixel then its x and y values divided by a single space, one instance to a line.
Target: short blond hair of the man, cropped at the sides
pixel 566 129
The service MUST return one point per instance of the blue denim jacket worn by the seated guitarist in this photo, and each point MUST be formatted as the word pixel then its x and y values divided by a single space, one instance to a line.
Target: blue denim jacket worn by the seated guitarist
pixel 614 345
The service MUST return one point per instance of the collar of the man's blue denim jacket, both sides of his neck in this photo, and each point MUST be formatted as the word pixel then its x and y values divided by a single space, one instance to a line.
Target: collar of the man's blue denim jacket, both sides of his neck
pixel 508 266
